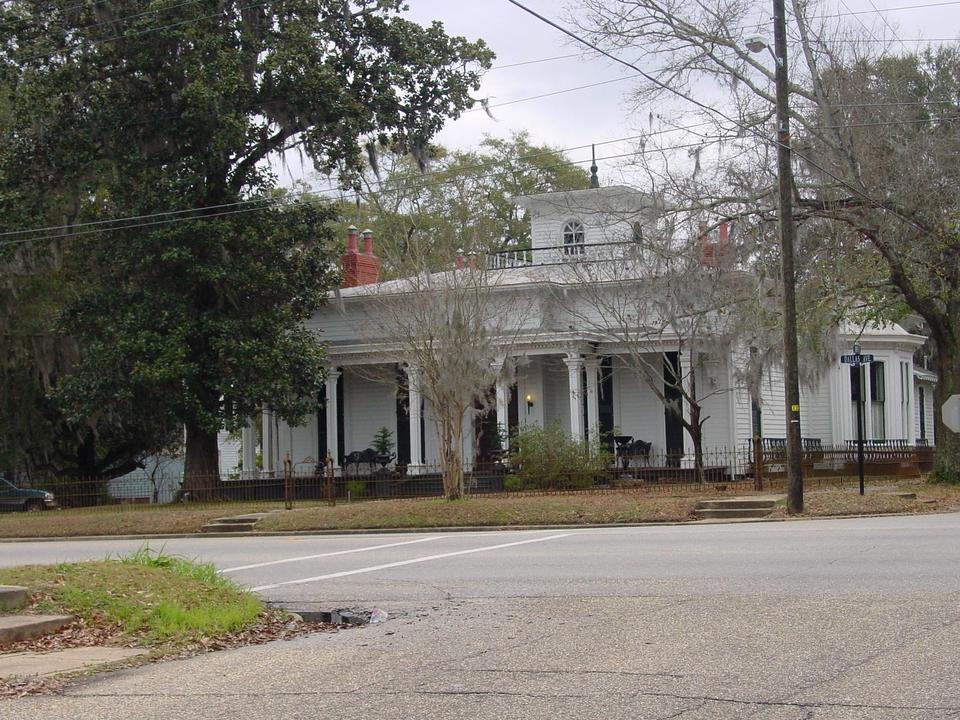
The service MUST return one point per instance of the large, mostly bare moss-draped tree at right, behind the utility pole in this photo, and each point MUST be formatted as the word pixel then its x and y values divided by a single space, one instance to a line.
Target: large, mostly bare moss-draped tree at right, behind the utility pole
pixel 877 190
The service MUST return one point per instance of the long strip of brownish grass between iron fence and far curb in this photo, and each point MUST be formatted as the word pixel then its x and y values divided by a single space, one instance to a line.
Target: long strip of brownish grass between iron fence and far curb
pixel 825 496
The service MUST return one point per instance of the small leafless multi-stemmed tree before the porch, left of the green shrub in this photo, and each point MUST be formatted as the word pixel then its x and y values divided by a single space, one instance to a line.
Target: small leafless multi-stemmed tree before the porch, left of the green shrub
pixel 453 330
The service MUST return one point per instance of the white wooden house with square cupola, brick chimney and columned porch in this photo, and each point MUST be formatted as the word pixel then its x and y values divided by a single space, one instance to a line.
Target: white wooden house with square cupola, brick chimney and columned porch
pixel 567 373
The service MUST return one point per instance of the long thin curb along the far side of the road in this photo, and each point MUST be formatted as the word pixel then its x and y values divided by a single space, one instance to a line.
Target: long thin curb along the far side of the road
pixel 460 528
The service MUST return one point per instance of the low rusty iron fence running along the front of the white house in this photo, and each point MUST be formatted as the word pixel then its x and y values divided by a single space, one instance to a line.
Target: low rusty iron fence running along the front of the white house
pixel 760 467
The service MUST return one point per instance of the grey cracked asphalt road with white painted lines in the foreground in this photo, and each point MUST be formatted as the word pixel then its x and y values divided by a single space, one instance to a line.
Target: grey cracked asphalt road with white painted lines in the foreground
pixel 815 619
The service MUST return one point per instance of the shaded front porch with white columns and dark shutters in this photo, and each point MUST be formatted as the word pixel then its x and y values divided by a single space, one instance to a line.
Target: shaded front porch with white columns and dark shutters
pixel 592 396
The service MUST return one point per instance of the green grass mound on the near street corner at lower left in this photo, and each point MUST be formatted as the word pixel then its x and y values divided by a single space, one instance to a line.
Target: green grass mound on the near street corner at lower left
pixel 149 598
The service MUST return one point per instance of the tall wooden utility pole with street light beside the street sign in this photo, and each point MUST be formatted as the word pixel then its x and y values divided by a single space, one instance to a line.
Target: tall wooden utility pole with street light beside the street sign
pixel 791 370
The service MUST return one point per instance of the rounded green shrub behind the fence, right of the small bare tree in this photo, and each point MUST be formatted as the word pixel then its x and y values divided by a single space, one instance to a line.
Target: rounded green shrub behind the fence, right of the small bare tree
pixel 547 458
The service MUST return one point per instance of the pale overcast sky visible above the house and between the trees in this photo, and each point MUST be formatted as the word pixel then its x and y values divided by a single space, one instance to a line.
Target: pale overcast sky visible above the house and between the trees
pixel 601 113
